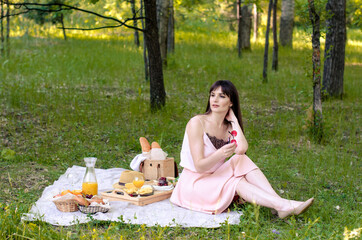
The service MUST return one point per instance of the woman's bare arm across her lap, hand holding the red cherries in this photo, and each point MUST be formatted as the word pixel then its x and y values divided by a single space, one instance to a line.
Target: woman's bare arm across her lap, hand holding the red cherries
pixel 195 133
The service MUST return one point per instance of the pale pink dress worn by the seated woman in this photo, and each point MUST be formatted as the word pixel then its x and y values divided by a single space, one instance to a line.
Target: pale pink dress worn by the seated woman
pixel 212 191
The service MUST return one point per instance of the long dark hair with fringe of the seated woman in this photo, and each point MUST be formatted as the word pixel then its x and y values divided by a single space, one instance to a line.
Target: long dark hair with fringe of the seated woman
pixel 229 90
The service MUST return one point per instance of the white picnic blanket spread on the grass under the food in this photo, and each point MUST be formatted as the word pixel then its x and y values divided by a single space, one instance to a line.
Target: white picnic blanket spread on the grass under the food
pixel 162 213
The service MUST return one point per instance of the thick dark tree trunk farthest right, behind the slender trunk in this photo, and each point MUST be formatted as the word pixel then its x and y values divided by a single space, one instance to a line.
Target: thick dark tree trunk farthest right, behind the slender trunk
pixel 334 49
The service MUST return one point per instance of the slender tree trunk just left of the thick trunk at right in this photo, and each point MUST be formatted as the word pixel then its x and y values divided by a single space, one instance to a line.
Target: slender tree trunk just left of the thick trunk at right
pixel 317 128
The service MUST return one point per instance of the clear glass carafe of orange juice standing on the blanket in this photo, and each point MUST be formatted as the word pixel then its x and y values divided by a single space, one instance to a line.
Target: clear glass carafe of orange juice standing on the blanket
pixel 90 185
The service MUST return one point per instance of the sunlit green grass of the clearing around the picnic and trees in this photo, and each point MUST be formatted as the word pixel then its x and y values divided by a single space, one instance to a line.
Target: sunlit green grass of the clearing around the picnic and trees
pixel 61 101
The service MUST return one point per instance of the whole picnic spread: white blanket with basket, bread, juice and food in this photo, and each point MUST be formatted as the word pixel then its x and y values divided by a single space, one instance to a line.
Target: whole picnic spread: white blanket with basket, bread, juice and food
pixel 136 197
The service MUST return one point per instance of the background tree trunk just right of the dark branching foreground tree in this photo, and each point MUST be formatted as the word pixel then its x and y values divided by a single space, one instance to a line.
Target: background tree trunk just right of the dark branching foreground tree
pixel 164 15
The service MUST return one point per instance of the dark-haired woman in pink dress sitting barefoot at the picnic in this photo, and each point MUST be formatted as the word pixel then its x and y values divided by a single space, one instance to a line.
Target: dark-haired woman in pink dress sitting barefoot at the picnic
pixel 209 182
